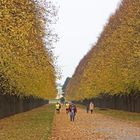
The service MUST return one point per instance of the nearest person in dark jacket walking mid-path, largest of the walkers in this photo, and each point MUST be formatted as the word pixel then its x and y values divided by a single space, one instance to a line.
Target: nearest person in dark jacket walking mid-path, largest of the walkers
pixel 72 111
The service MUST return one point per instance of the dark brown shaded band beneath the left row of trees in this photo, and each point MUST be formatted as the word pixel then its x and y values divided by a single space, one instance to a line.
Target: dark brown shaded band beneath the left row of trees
pixel 10 105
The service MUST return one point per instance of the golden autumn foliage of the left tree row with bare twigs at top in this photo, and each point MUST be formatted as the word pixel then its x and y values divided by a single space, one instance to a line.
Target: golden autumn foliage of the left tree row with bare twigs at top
pixel 26 65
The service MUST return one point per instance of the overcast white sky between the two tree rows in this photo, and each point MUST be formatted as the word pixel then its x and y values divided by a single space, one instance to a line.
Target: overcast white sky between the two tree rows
pixel 79 26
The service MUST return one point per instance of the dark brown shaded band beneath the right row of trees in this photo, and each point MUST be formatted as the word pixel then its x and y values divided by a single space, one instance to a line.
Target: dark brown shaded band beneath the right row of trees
pixel 129 102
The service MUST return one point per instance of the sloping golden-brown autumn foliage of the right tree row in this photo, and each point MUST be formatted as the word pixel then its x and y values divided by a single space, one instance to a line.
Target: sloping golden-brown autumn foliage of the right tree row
pixel 112 66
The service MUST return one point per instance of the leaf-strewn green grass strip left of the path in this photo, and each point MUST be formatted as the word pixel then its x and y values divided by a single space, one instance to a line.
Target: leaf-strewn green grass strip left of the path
pixel 32 125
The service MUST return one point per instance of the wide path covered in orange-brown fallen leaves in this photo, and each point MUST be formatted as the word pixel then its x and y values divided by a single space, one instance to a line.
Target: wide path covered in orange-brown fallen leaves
pixel 92 127
